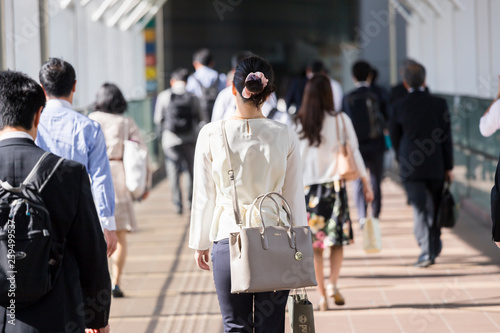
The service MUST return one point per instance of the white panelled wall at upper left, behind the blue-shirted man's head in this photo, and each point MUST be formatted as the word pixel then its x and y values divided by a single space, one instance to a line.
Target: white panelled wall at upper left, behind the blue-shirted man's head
pixel 98 53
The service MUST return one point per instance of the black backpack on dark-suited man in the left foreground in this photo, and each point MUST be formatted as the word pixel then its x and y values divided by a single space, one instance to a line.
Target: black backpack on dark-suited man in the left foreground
pixel 30 256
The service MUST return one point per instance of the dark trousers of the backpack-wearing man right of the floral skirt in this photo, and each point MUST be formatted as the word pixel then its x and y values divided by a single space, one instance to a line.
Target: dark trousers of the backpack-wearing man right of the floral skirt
pixel 375 164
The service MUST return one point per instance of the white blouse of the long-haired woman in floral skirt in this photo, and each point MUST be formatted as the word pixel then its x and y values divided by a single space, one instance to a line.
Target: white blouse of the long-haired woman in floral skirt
pixel 319 164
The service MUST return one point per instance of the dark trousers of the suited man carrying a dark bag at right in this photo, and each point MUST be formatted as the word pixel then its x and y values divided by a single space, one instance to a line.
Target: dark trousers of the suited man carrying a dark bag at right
pixel 424 196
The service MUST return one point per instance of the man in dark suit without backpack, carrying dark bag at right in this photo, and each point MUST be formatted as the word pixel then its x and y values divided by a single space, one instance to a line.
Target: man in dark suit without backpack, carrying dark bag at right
pixel 421 135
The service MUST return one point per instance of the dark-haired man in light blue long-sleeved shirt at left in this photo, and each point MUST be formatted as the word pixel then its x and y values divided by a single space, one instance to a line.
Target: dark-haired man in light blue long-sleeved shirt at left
pixel 69 134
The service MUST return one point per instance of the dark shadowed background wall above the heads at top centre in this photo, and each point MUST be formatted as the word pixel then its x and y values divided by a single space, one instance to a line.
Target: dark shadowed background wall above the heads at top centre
pixel 288 33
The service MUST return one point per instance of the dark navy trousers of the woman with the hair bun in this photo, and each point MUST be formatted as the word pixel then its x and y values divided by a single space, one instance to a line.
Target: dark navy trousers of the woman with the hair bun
pixel 257 312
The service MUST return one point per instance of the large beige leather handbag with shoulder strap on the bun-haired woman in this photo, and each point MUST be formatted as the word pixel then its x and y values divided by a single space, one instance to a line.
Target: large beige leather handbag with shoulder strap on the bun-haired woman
pixel 268 258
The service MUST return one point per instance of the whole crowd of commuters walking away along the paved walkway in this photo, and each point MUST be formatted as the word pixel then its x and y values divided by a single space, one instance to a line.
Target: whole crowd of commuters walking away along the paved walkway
pixel 92 210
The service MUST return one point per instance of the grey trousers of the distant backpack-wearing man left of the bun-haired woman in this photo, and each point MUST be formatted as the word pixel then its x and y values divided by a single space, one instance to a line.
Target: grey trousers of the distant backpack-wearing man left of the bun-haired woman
pixel 176 158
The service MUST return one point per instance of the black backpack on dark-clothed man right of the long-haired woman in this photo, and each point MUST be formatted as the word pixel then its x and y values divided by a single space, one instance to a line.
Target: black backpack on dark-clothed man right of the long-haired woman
pixel 365 113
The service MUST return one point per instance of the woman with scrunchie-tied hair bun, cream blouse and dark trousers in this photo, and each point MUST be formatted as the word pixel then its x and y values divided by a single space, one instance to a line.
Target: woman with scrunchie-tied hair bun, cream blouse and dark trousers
pixel 265 157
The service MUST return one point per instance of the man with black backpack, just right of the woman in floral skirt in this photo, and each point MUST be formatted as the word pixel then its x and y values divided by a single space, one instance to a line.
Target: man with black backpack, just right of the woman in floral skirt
pixel 369 117
